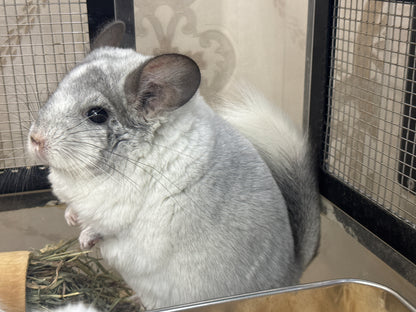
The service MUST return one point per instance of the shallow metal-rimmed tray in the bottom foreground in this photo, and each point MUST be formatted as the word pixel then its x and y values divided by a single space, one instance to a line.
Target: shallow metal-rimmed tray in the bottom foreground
pixel 337 295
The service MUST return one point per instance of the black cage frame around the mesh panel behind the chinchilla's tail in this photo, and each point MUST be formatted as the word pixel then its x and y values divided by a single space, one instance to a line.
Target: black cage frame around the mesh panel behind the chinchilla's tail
pixel 396 233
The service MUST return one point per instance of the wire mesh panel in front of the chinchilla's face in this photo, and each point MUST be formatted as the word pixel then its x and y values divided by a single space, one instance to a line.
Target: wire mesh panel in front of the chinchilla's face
pixel 39 41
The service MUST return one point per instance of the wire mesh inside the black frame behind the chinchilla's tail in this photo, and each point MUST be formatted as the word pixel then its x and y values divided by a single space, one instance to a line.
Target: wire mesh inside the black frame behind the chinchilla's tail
pixel 371 41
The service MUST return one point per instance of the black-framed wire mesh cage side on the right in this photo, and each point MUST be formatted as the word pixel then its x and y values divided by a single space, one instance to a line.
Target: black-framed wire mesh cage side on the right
pixel 362 118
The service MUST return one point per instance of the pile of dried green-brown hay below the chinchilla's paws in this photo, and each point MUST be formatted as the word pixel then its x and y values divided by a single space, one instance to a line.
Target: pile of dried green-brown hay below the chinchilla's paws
pixel 60 274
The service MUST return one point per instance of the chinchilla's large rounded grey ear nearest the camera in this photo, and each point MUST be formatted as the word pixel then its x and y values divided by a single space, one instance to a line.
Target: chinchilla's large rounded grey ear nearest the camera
pixel 163 83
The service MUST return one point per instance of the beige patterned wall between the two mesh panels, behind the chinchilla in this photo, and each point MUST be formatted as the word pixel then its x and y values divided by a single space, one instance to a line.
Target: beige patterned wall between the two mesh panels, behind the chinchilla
pixel 260 42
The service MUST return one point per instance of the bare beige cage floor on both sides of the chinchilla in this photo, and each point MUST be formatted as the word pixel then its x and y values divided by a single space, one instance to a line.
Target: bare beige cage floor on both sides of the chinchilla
pixel 340 256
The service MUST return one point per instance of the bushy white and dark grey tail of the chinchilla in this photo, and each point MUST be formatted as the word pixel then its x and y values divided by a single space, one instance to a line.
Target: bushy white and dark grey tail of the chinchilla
pixel 287 153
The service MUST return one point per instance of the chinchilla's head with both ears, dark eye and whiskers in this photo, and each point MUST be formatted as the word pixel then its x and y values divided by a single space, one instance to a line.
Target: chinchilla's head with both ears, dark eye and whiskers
pixel 109 104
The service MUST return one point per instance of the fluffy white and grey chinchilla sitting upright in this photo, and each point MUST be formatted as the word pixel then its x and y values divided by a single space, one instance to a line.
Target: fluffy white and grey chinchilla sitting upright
pixel 185 205
